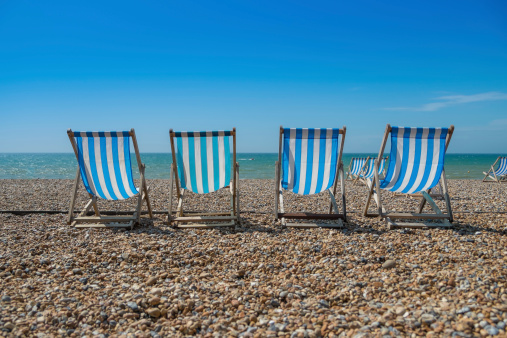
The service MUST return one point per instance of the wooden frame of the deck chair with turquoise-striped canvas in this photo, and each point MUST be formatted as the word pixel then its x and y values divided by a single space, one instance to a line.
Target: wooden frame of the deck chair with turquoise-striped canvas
pixel 193 219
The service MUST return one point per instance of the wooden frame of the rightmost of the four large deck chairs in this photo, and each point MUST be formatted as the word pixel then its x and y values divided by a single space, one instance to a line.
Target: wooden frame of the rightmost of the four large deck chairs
pixel 426 197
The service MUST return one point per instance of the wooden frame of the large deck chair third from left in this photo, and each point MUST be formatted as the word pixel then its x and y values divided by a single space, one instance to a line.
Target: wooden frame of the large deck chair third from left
pixel 333 205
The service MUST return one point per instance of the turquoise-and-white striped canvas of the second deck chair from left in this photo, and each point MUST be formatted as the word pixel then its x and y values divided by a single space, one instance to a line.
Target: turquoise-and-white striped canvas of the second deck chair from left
pixel 203 160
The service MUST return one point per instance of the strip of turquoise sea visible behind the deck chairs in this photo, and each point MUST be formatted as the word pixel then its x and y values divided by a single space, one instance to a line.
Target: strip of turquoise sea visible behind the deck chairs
pixel 252 165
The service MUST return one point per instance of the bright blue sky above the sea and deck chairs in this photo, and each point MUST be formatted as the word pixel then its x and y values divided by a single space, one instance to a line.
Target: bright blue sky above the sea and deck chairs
pixel 253 65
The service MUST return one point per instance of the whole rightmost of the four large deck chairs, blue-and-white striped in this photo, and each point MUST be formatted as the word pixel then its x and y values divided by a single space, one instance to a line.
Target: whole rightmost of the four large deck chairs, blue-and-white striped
pixel 416 165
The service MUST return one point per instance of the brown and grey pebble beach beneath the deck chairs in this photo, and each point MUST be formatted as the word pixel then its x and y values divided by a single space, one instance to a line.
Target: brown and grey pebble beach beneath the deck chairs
pixel 257 280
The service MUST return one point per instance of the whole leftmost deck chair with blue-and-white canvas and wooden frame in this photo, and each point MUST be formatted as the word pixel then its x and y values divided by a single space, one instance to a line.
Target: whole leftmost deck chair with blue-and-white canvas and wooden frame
pixel 105 169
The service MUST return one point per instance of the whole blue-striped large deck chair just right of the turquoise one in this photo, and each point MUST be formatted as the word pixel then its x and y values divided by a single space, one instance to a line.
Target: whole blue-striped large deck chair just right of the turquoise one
pixel 309 162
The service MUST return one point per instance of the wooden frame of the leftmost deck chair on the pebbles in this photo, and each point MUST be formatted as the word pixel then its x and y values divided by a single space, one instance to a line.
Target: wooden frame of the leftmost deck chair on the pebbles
pixel 99 221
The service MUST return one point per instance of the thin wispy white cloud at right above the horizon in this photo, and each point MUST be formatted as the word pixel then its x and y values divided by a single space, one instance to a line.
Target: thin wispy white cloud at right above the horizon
pixel 452 100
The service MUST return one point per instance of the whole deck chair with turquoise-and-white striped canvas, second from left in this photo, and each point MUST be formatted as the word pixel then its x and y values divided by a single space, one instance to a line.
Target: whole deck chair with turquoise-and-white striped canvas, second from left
pixel 202 164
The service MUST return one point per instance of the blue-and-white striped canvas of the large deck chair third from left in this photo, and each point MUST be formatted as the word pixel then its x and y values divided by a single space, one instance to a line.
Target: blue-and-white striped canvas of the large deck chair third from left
pixel 309 159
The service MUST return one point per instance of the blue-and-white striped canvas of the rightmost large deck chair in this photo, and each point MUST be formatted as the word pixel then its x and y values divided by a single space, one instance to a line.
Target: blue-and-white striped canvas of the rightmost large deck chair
pixel 416 159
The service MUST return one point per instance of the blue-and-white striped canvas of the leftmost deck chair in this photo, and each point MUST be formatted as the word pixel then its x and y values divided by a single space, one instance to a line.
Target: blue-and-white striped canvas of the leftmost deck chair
pixel 104 164
